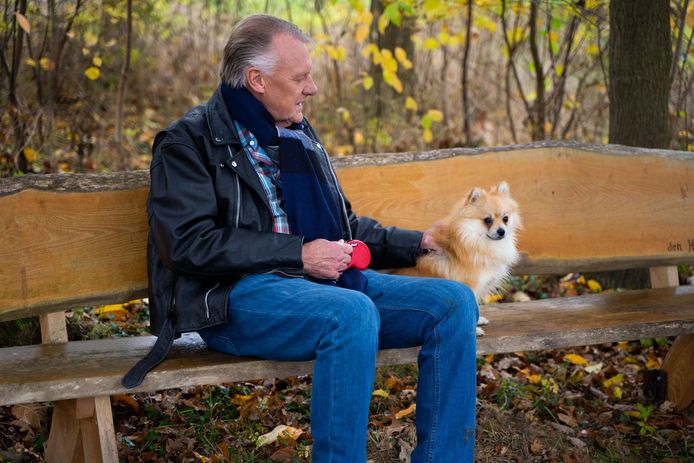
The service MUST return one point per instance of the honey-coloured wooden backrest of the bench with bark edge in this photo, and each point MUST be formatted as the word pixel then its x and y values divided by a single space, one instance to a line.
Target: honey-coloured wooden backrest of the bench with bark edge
pixel 71 240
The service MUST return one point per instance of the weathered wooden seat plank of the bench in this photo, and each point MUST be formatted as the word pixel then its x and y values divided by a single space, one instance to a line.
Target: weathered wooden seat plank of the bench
pixel 91 368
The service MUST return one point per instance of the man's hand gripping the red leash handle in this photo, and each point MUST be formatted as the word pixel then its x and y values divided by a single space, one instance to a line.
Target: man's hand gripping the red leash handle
pixel 326 260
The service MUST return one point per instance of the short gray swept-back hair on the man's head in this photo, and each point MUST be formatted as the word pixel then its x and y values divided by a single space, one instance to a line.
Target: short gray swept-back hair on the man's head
pixel 250 45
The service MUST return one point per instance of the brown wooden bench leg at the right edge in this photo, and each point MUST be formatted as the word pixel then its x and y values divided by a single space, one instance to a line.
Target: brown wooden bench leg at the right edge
pixel 680 373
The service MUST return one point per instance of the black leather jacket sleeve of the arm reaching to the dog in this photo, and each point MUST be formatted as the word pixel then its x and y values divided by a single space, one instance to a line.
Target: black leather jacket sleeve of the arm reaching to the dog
pixel 391 247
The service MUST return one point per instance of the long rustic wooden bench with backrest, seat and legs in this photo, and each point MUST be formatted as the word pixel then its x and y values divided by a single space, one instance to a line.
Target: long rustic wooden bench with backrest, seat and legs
pixel 79 240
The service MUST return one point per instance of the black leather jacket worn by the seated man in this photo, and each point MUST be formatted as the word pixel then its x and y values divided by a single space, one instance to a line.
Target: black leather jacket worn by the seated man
pixel 210 222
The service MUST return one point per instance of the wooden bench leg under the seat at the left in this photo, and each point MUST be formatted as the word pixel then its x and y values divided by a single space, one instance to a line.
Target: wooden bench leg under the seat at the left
pixel 82 431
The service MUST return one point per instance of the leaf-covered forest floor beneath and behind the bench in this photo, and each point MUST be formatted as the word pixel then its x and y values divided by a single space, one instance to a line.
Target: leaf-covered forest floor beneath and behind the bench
pixel 584 404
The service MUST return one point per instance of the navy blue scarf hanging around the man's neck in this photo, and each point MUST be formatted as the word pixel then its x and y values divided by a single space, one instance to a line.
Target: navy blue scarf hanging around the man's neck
pixel 307 195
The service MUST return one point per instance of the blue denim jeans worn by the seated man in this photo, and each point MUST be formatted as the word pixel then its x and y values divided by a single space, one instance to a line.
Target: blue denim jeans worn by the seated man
pixel 293 319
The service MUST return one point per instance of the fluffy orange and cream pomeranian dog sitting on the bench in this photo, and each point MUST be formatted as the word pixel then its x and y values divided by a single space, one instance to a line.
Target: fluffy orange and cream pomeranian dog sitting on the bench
pixel 478 241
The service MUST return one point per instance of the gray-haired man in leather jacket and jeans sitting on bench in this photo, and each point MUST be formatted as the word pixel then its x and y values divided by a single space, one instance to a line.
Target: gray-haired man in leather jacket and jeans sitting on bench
pixel 248 246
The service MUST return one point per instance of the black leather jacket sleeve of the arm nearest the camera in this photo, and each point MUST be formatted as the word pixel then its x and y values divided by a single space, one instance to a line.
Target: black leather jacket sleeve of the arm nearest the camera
pixel 191 237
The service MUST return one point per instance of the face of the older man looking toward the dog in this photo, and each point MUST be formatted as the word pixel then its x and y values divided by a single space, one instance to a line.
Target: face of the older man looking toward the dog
pixel 289 84
